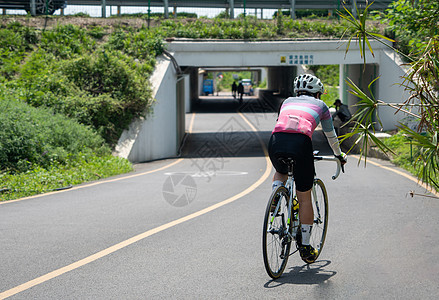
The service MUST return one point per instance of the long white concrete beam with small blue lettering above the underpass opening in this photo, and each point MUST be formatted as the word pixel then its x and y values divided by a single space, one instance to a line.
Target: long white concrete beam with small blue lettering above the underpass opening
pixel 214 54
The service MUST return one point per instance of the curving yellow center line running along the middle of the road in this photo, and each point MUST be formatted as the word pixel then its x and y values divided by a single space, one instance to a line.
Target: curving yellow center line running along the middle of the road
pixel 132 240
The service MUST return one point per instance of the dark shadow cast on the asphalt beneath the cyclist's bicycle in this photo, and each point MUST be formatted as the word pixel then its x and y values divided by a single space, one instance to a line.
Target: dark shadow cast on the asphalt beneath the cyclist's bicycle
pixel 306 274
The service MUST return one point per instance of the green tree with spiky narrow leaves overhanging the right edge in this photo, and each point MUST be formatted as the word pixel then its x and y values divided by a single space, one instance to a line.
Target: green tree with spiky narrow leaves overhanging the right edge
pixel 414 24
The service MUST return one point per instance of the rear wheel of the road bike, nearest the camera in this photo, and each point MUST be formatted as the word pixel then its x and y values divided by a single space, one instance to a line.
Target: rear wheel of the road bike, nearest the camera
pixel 276 241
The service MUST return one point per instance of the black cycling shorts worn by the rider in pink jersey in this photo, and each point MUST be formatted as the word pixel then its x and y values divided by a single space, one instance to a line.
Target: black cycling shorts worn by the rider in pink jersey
pixel 299 147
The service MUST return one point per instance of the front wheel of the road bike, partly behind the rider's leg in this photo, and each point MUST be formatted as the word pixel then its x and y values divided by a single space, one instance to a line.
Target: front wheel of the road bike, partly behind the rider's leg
pixel 320 207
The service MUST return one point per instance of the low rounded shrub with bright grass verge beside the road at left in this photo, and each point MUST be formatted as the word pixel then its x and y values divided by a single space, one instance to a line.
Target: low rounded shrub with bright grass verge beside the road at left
pixel 41 151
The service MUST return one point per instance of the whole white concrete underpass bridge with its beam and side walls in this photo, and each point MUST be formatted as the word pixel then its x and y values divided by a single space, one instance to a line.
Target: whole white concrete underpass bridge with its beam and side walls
pixel 176 82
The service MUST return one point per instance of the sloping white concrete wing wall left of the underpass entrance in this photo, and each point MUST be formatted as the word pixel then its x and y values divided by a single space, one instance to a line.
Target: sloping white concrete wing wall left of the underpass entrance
pixel 157 135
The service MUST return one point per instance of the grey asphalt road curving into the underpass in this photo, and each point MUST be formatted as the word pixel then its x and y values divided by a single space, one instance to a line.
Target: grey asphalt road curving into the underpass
pixel 190 227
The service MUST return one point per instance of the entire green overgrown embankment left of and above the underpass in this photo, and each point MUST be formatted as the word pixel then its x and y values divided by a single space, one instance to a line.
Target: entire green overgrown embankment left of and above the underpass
pixel 68 91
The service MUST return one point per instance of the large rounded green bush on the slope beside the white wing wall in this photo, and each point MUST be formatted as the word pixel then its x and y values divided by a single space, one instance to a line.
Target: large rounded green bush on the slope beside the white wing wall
pixel 113 92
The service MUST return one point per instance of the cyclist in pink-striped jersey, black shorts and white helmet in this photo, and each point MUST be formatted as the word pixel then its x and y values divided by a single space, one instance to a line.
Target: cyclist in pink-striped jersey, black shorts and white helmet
pixel 291 137
